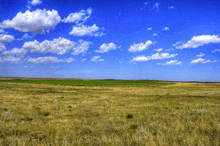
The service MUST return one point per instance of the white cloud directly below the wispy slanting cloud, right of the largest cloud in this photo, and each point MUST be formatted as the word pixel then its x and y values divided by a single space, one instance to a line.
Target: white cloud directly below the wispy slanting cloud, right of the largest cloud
pixel 85 30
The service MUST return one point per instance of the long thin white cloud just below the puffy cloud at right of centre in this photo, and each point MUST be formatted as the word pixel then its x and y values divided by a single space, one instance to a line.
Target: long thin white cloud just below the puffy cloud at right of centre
pixel 156 56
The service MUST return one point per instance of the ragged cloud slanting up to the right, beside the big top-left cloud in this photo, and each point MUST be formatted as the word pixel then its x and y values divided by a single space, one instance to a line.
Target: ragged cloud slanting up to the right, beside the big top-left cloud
pixel 78 16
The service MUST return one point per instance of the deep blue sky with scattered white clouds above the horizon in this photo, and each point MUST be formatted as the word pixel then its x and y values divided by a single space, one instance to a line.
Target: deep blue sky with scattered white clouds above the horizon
pixel 155 40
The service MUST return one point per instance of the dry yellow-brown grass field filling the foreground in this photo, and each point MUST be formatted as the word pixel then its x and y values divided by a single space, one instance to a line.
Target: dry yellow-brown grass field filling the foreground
pixel 172 114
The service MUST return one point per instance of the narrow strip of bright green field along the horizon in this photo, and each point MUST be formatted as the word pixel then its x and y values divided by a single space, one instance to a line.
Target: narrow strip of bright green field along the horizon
pixel 84 82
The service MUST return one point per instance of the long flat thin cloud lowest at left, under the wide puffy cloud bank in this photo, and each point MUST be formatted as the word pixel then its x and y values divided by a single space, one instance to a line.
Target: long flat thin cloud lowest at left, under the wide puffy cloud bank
pixel 49 60
